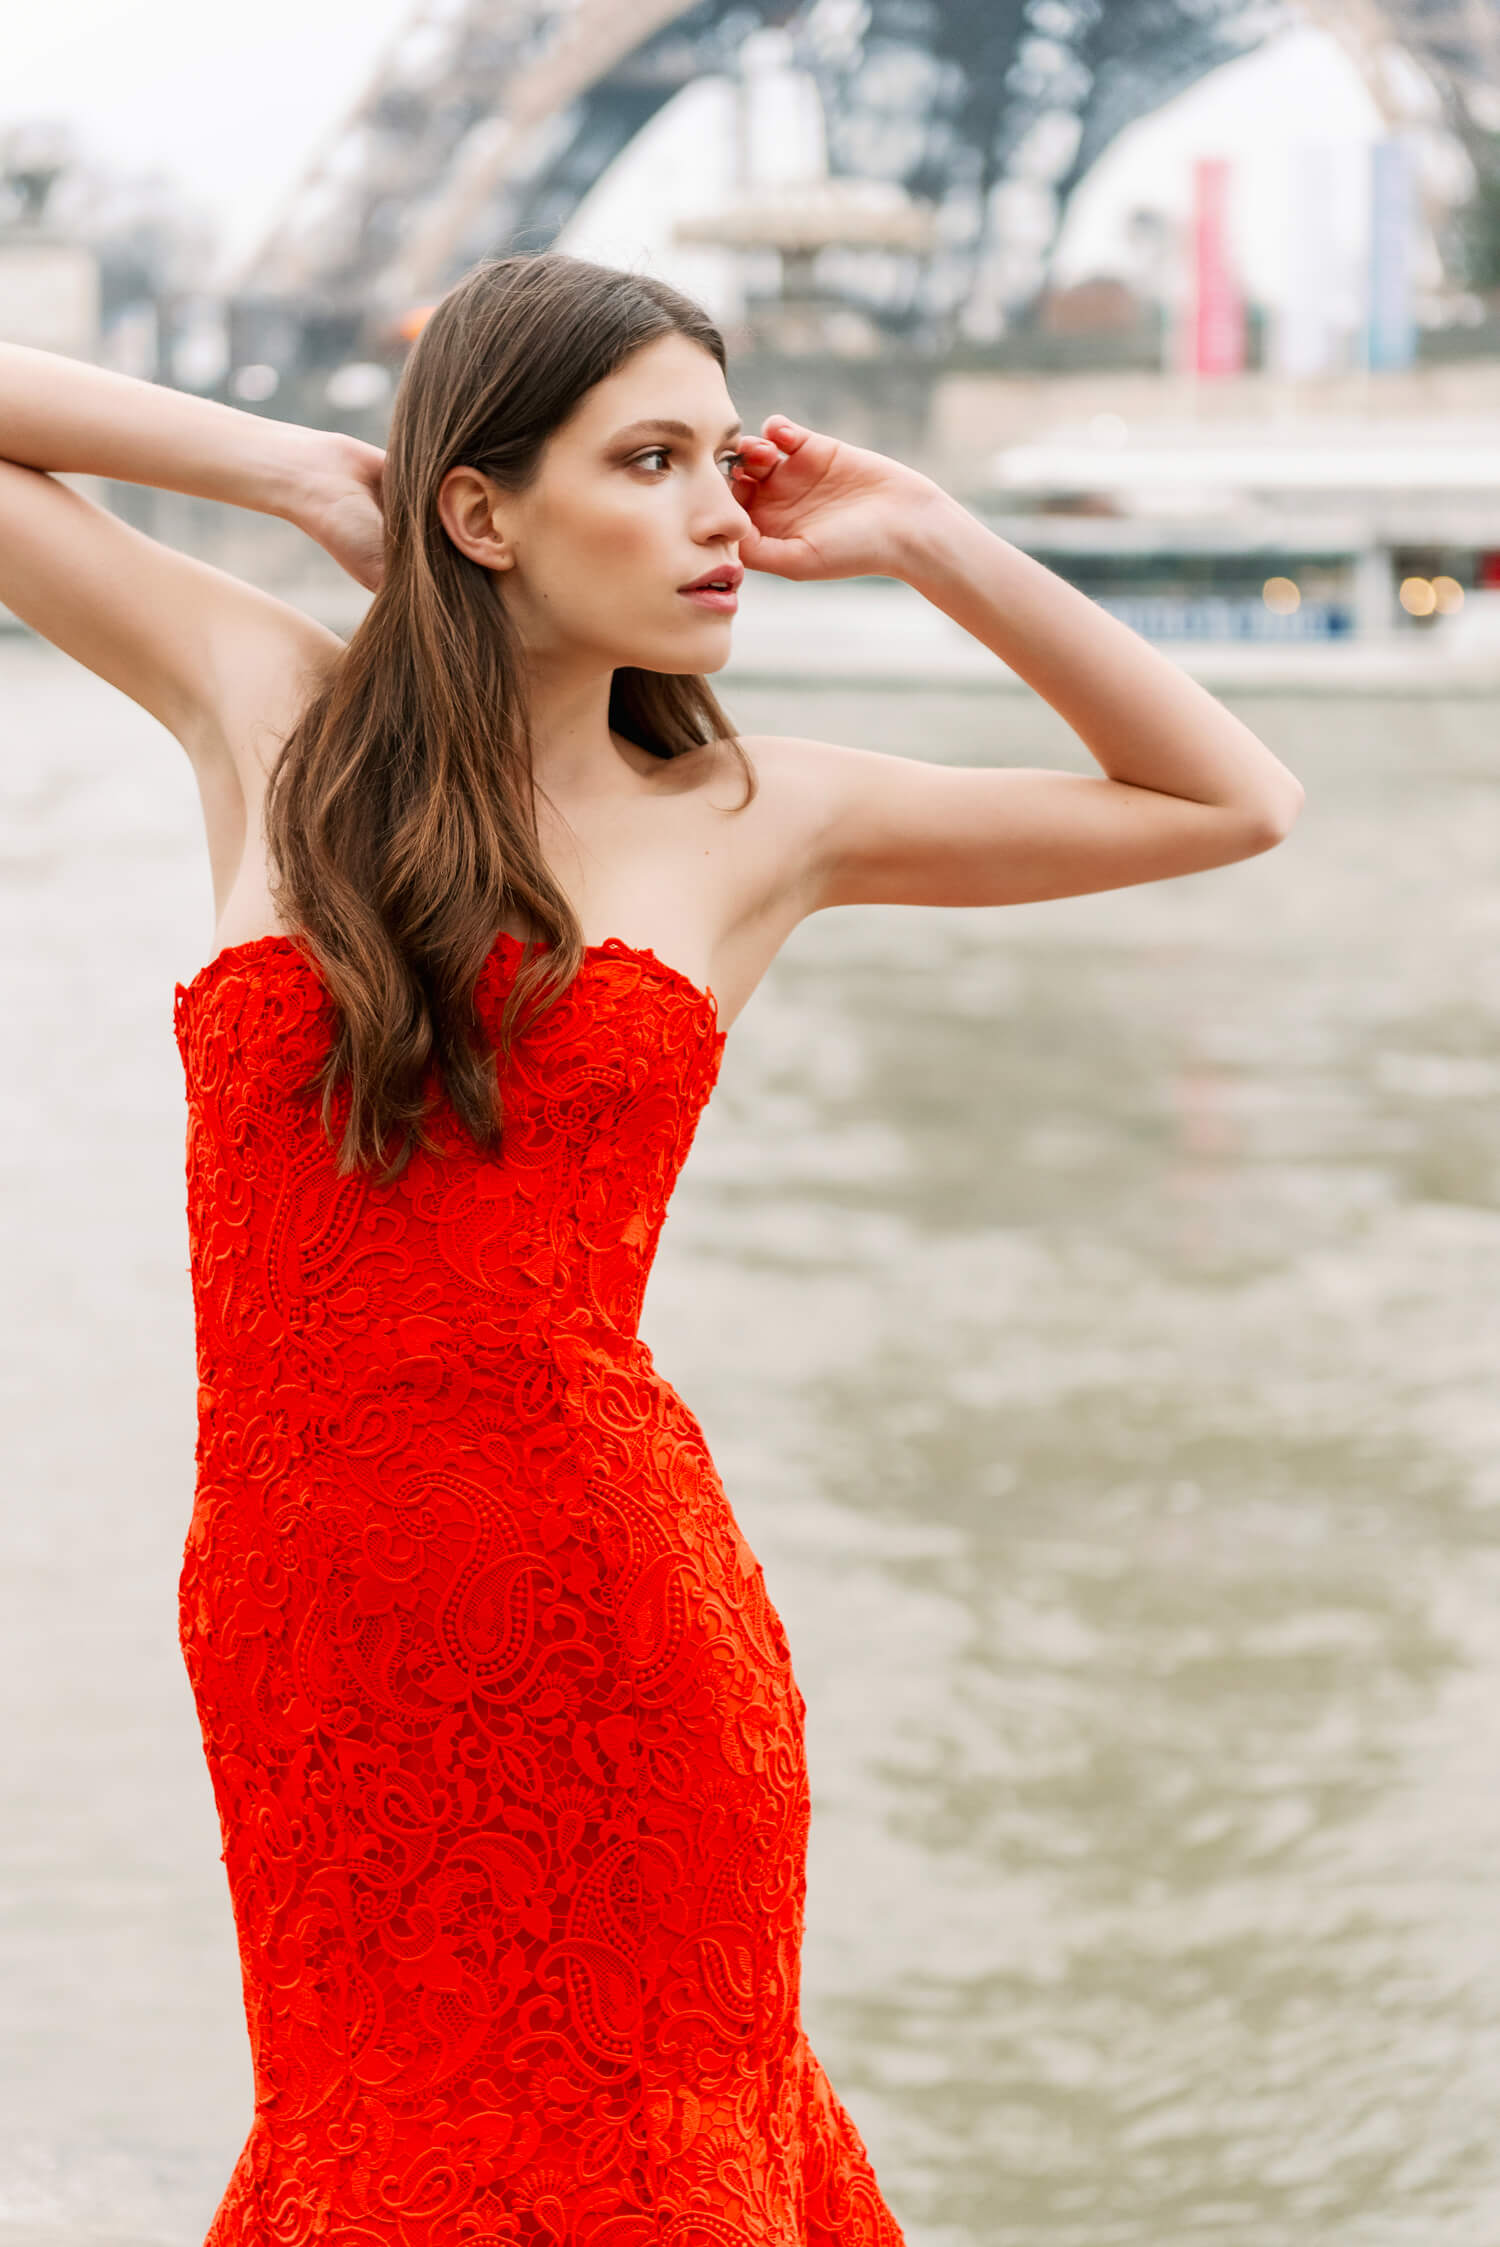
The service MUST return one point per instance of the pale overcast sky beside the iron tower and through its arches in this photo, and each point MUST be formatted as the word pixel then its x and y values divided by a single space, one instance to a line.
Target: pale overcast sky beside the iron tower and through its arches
pixel 232 102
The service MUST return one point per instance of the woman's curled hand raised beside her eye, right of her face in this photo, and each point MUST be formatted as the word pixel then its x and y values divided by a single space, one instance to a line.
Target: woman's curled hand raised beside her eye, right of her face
pixel 823 509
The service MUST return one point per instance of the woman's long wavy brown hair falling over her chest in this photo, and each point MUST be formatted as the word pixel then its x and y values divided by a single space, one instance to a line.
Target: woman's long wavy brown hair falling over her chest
pixel 401 817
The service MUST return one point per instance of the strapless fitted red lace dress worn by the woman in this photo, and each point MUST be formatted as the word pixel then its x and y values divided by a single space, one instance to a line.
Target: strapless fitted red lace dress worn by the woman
pixel 502 1722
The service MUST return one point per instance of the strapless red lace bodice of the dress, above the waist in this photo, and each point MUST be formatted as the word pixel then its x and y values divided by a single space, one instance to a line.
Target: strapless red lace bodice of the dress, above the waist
pixel 554 1230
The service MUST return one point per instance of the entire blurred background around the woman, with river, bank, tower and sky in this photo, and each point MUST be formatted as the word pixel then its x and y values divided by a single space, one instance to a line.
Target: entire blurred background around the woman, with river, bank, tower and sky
pixel 1090 1307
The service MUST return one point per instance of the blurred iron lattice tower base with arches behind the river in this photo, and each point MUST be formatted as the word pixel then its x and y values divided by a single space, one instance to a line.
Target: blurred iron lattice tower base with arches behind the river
pixel 486 122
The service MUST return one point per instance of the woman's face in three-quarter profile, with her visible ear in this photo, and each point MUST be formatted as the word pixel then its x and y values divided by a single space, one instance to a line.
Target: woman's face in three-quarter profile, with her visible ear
pixel 607 556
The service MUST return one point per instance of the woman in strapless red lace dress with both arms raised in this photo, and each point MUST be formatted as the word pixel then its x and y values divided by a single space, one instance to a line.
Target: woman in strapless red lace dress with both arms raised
pixel 502 1725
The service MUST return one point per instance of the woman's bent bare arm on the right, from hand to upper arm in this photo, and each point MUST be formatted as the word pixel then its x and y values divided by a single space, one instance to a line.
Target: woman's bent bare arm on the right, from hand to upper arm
pixel 1182 783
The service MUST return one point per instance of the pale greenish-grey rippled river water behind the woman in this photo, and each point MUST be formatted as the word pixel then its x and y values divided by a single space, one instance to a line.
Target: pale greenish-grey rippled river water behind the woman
pixel 1095 1316
